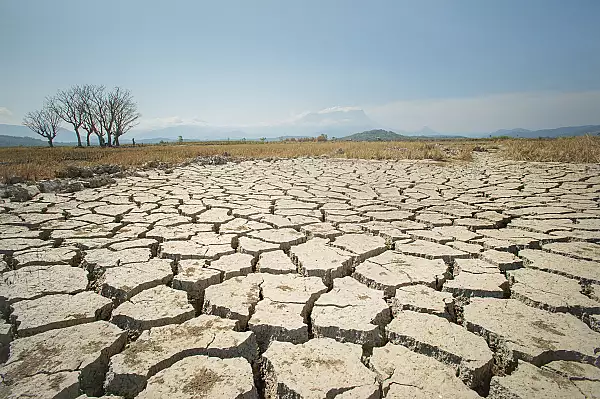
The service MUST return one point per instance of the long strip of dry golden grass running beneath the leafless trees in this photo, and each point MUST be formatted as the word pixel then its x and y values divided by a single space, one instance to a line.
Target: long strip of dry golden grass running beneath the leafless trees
pixel 43 163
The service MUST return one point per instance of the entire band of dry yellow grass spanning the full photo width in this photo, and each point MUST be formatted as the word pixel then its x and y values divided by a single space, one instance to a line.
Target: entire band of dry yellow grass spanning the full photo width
pixel 32 163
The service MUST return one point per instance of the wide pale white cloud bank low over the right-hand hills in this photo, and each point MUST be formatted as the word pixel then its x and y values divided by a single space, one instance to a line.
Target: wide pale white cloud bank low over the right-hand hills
pixel 530 110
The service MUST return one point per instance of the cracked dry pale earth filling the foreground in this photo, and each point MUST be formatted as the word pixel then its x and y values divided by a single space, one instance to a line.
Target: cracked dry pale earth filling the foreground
pixel 308 278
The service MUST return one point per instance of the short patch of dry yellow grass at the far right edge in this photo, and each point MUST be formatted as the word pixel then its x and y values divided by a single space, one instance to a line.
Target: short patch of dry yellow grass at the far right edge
pixel 581 149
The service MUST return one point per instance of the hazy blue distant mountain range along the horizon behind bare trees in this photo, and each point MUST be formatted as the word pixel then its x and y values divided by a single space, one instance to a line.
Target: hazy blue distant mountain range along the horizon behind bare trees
pixel 336 122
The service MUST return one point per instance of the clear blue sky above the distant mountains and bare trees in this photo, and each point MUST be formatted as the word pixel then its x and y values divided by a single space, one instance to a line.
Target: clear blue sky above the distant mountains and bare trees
pixel 452 65
